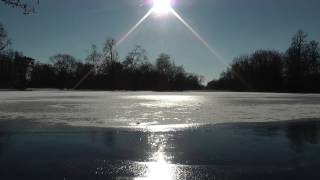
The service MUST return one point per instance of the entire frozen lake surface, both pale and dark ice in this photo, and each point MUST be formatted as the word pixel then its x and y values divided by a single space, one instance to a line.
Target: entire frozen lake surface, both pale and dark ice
pixel 149 135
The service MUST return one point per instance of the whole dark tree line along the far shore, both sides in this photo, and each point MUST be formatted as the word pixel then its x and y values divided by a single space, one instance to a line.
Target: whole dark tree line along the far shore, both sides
pixel 295 70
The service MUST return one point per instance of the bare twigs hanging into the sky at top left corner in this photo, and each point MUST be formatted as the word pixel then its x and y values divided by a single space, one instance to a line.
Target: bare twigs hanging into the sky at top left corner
pixel 28 8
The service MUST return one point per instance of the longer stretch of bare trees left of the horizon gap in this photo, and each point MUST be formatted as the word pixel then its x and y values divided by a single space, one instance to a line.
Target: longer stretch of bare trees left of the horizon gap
pixel 101 70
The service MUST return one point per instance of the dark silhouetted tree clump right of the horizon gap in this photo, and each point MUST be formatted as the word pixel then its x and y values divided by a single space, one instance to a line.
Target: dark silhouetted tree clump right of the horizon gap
pixel 296 70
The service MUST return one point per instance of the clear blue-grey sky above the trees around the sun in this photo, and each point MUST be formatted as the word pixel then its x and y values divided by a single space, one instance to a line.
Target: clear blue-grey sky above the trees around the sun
pixel 231 27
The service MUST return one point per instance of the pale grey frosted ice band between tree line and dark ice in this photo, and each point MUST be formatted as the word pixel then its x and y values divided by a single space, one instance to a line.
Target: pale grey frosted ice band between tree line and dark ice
pixel 147 109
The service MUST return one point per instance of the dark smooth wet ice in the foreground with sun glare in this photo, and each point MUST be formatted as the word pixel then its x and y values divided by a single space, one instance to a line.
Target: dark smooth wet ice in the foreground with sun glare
pixel 277 150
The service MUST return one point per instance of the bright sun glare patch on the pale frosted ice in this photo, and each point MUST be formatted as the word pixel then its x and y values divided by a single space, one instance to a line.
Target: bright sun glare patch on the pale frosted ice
pixel 161 112
